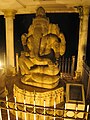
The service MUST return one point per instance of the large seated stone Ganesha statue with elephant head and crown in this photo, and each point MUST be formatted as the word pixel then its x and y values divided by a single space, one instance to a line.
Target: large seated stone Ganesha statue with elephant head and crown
pixel 43 45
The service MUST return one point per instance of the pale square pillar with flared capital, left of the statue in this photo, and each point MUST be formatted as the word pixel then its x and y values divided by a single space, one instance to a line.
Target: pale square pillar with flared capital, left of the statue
pixel 9 16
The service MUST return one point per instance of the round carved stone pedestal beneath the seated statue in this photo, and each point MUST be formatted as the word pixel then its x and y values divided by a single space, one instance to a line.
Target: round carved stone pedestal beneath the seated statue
pixel 35 95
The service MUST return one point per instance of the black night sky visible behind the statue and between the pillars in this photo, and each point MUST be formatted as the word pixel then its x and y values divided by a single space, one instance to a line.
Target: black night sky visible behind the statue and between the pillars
pixel 68 23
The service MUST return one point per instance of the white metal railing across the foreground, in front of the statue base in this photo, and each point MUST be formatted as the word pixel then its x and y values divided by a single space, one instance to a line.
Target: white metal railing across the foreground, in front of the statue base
pixel 37 110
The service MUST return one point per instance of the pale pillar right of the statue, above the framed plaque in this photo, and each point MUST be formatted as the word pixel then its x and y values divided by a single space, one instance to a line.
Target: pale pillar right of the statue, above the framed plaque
pixel 83 32
